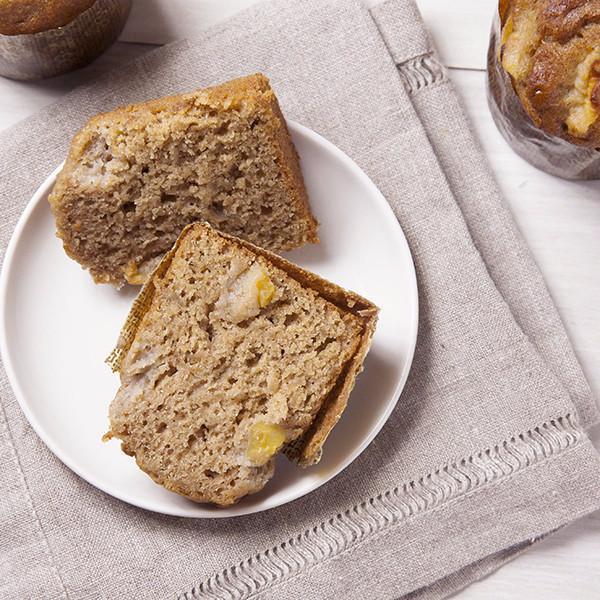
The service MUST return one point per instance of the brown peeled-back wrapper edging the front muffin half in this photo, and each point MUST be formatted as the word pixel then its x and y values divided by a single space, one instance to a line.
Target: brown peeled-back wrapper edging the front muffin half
pixel 306 451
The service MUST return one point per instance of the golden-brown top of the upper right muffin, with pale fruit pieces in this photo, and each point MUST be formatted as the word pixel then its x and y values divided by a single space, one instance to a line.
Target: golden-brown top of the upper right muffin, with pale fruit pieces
pixel 551 50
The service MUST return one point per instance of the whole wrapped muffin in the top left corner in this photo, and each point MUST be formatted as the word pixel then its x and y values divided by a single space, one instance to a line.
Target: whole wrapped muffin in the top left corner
pixel 42 38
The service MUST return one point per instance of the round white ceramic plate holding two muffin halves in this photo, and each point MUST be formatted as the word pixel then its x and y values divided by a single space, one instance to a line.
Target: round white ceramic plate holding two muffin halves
pixel 57 327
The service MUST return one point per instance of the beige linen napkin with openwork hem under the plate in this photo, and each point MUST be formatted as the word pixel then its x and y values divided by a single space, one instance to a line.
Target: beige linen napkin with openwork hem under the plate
pixel 486 450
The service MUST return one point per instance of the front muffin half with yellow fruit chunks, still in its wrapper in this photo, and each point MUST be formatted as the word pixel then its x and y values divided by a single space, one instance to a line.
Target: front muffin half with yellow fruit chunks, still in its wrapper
pixel 233 353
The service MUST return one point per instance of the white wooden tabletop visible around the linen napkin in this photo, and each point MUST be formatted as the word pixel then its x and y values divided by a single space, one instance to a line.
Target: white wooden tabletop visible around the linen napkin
pixel 560 220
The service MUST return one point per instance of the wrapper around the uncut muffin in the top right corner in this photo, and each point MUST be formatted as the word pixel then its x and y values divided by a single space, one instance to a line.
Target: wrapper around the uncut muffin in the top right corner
pixel 539 148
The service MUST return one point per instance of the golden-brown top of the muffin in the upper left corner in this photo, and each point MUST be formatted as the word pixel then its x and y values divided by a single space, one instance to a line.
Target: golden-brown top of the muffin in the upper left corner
pixel 32 16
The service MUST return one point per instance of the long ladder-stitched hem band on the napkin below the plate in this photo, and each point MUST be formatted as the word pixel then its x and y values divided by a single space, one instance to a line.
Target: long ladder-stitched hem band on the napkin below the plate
pixel 377 515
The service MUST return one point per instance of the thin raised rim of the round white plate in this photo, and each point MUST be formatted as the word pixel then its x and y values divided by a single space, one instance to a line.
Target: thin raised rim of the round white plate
pixel 64 457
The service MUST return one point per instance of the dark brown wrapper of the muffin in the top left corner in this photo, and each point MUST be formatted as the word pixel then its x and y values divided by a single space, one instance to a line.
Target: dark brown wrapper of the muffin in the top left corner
pixel 56 51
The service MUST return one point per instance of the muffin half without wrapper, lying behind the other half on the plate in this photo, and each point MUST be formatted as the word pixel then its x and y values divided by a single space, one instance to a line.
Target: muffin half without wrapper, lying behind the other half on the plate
pixel 135 177
